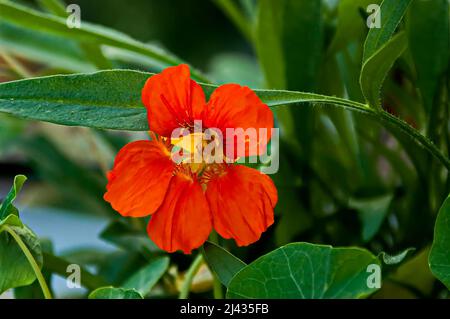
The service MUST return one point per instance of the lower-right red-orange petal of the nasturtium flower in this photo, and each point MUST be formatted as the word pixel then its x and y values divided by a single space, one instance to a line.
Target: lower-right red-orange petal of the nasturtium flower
pixel 241 200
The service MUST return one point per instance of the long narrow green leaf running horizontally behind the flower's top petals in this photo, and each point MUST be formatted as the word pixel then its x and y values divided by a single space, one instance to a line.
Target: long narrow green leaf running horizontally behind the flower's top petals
pixel 108 99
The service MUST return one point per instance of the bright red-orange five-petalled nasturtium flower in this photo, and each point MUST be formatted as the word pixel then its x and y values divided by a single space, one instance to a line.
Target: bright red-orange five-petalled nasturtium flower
pixel 187 200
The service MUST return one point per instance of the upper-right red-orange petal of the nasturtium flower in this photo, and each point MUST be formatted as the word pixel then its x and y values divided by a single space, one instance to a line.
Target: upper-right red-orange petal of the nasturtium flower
pixel 234 106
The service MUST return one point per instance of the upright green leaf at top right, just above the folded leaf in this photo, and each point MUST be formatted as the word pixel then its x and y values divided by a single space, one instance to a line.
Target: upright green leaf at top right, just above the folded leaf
pixel 392 12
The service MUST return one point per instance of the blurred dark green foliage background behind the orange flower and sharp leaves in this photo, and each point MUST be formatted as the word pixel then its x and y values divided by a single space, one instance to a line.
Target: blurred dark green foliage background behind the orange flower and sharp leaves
pixel 344 179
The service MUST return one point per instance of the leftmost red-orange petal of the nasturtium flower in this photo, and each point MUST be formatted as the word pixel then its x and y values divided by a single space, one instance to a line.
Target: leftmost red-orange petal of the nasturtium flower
pixel 139 179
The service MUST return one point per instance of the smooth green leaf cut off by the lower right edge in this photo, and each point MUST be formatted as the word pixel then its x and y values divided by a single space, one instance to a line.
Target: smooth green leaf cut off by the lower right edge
pixel 439 258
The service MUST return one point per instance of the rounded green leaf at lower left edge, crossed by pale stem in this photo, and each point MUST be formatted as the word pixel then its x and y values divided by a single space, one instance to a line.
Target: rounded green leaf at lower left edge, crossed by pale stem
pixel 15 269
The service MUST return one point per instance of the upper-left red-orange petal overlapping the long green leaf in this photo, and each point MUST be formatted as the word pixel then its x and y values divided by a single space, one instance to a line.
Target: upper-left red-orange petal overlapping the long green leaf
pixel 172 100
